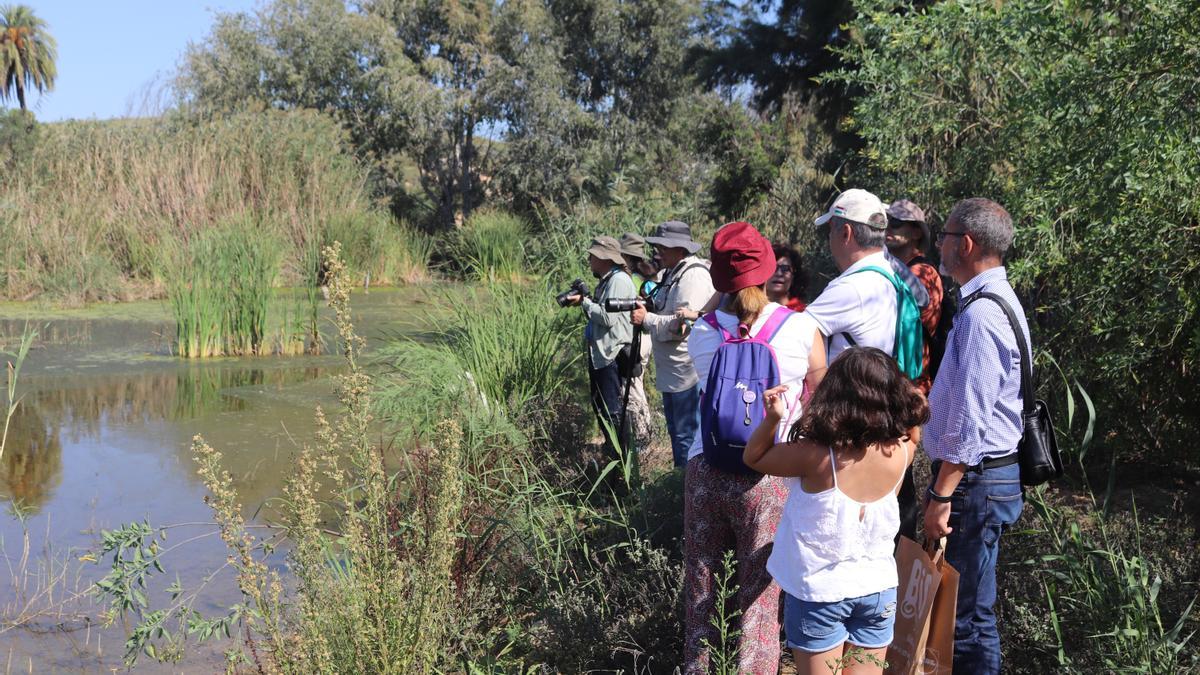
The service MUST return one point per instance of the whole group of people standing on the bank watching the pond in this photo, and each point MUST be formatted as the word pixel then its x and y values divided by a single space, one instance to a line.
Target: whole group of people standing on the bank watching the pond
pixel 803 469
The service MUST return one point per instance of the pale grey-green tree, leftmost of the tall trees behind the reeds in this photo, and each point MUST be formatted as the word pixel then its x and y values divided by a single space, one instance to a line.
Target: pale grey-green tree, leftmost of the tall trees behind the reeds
pixel 314 55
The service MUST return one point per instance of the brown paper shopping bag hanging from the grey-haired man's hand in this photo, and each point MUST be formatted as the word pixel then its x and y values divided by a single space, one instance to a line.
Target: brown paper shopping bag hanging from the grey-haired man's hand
pixel 926 605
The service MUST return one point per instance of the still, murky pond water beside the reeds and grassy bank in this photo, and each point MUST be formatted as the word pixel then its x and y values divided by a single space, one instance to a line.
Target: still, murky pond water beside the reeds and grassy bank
pixel 103 439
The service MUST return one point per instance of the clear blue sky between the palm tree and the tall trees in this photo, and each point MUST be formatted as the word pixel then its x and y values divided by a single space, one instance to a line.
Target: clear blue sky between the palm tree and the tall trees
pixel 110 52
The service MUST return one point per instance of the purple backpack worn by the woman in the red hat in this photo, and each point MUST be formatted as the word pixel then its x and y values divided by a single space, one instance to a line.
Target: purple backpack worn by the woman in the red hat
pixel 731 407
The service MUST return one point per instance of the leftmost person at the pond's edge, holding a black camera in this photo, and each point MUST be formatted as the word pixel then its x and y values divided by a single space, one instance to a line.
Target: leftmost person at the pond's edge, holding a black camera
pixel 607 333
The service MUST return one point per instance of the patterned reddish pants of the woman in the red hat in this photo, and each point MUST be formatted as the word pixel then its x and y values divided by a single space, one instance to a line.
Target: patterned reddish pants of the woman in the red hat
pixel 740 513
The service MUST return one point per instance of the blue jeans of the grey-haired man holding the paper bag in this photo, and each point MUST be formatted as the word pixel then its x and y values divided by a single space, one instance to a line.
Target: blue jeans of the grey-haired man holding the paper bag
pixel 982 509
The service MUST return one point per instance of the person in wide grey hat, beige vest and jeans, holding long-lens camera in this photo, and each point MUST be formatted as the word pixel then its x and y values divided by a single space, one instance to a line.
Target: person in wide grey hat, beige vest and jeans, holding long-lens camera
pixel 686 284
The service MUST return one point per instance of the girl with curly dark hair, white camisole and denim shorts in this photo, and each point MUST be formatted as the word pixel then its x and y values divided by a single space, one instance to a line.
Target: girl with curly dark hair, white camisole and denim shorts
pixel 844 462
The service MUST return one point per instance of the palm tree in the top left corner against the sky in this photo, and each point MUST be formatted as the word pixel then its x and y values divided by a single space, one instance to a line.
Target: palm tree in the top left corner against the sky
pixel 27 53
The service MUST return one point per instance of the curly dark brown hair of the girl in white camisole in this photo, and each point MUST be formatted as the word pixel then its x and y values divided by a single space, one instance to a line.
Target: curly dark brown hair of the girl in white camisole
pixel 863 399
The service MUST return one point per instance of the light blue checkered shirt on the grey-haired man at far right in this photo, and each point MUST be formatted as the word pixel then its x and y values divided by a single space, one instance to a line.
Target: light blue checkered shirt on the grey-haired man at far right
pixel 976 401
